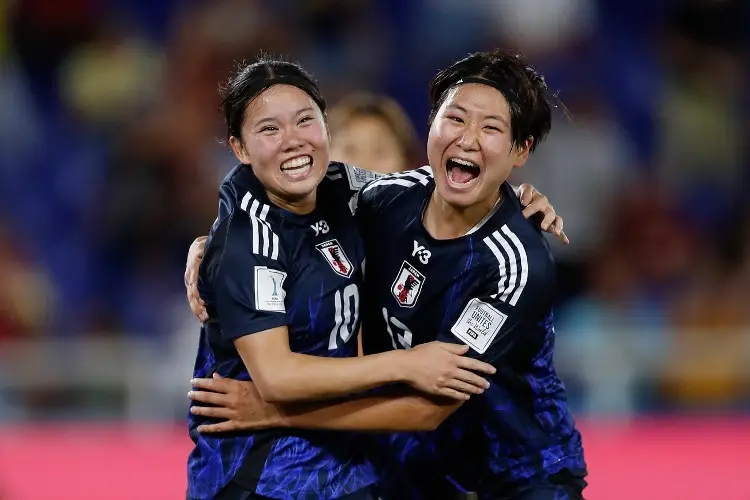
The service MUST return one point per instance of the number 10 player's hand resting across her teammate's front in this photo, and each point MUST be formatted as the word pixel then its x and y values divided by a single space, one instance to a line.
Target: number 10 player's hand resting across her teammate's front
pixel 439 368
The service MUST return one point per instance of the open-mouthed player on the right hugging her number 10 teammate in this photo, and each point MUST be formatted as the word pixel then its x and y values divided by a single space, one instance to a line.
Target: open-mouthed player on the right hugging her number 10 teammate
pixel 451 257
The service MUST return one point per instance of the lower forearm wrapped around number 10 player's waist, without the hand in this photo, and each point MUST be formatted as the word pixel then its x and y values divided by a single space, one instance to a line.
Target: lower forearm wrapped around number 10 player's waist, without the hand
pixel 410 412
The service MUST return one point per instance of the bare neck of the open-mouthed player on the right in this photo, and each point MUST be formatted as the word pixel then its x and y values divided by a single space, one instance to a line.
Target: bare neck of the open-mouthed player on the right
pixel 444 221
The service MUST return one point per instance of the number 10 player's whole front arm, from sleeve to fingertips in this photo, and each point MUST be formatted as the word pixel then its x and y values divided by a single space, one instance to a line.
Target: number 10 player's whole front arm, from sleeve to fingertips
pixel 249 295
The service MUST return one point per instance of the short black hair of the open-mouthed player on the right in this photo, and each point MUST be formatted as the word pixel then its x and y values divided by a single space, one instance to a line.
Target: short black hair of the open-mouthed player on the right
pixel 529 98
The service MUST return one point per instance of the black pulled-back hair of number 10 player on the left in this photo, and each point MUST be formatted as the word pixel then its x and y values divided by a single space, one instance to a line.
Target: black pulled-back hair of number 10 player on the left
pixel 253 78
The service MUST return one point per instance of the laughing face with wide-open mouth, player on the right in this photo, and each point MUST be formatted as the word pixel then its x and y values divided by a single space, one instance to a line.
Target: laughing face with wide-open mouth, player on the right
pixel 470 145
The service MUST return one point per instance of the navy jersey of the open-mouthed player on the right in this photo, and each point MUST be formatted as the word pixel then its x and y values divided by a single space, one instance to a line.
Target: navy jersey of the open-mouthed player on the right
pixel 493 290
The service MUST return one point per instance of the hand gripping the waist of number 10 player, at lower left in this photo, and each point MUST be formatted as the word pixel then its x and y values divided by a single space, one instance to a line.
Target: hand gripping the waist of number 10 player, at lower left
pixel 238 403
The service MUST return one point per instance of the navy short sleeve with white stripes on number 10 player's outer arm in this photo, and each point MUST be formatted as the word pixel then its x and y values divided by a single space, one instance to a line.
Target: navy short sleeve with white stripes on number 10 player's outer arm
pixel 248 278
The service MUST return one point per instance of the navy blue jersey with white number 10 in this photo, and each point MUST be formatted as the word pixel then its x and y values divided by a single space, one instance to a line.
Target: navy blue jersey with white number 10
pixel 265 267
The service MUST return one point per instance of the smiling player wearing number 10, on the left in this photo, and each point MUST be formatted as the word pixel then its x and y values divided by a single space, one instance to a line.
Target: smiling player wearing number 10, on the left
pixel 281 281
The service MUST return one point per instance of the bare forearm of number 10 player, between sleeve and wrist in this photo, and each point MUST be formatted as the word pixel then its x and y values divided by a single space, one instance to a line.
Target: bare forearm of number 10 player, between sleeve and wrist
pixel 301 377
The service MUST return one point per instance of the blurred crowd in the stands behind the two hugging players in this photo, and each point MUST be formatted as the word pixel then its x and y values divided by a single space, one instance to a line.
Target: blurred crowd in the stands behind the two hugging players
pixel 111 153
